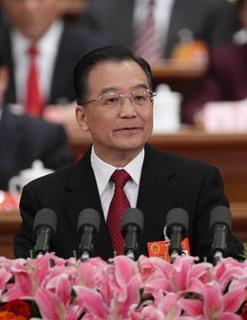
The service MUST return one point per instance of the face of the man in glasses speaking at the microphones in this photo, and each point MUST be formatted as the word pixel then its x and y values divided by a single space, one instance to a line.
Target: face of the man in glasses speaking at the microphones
pixel 121 131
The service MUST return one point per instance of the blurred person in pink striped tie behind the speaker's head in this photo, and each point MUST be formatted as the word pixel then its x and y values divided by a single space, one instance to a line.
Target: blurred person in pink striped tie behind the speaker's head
pixel 130 23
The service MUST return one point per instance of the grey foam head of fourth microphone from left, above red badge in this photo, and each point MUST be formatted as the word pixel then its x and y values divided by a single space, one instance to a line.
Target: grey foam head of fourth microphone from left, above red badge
pixel 177 217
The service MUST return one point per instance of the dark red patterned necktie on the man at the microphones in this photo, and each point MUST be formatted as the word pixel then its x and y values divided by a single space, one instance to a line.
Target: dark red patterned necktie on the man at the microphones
pixel 117 207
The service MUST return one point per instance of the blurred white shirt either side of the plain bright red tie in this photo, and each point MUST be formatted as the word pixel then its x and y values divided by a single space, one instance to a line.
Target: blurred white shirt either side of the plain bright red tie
pixel 47 47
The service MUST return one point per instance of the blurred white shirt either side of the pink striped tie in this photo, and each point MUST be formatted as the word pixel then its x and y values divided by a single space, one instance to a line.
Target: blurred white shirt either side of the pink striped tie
pixel 162 14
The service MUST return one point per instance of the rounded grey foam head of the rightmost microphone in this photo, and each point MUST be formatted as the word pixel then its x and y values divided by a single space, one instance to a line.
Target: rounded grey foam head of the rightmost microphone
pixel 220 215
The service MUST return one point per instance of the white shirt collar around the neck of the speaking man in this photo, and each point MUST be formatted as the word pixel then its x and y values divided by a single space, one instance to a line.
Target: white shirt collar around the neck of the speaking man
pixel 103 170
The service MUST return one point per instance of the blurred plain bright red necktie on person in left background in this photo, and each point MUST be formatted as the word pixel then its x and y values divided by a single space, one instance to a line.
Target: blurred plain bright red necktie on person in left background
pixel 34 103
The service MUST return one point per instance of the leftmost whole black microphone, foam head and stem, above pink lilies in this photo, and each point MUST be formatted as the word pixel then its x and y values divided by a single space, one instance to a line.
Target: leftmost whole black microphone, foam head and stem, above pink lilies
pixel 44 228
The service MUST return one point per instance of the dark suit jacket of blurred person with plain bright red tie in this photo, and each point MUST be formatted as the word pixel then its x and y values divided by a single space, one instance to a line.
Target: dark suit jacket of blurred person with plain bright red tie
pixel 76 41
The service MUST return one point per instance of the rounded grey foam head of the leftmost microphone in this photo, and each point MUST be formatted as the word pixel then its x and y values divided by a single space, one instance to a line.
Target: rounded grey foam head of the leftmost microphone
pixel 45 218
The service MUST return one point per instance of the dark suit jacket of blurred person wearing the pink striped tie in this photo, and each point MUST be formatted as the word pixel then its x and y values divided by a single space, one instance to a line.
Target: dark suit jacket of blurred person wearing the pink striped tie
pixel 213 21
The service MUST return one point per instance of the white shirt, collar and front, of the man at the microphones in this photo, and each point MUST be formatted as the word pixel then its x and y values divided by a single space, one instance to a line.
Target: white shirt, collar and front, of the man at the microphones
pixel 103 172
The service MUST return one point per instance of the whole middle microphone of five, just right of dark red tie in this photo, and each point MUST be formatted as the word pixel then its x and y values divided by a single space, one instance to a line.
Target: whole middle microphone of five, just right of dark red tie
pixel 131 229
